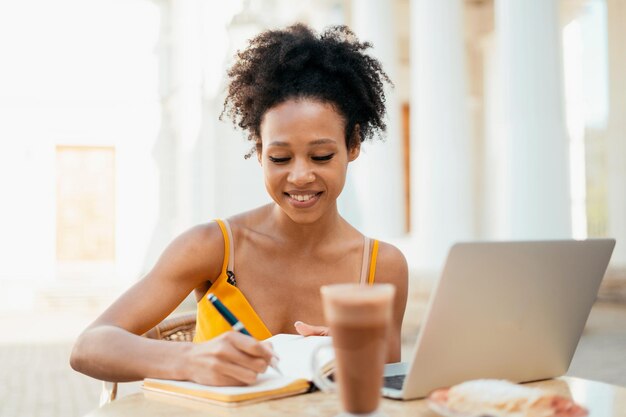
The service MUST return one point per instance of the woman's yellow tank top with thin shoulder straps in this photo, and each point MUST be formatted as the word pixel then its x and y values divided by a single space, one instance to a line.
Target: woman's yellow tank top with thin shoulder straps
pixel 209 323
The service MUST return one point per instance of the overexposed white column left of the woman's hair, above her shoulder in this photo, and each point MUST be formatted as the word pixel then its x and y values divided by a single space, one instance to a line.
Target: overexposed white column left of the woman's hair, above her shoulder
pixel 173 151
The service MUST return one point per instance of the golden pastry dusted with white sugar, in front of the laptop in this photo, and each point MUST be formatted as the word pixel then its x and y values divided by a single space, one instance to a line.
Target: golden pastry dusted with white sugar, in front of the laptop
pixel 499 398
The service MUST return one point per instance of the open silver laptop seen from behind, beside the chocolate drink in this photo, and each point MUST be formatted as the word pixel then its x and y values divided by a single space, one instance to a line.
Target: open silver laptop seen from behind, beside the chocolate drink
pixel 503 310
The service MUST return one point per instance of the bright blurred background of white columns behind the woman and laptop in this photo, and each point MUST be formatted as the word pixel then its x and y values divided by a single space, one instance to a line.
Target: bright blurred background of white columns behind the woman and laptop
pixel 507 121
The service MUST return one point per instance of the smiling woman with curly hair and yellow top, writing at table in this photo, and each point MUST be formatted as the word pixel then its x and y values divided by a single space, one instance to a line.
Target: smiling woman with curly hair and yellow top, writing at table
pixel 307 102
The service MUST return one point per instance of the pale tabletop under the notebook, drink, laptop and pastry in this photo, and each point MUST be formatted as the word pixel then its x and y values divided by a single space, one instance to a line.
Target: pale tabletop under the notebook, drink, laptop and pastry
pixel 602 400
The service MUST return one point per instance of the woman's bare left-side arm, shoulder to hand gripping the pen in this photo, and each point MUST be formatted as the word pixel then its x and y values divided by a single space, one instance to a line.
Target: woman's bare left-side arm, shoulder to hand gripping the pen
pixel 112 349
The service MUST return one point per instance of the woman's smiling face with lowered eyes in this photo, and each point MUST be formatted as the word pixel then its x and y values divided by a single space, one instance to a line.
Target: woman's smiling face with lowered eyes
pixel 304 157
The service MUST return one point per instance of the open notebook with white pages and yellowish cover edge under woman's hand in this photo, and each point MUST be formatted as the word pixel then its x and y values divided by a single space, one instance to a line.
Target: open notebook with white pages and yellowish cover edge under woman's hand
pixel 295 354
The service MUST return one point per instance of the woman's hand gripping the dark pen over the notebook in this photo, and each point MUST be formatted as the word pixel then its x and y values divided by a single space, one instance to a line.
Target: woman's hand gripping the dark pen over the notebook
pixel 229 359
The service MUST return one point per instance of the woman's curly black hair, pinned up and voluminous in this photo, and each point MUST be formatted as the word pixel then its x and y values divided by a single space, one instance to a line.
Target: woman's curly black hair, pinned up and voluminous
pixel 279 65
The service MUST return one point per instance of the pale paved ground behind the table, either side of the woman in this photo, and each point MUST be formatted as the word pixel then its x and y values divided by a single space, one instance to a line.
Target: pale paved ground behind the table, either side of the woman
pixel 36 380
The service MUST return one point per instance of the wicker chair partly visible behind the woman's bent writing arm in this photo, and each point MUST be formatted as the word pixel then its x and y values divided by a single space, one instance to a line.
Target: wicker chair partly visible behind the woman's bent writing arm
pixel 180 328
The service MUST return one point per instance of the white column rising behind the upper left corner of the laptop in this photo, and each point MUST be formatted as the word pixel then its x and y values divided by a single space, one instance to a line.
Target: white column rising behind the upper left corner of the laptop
pixel 441 167
